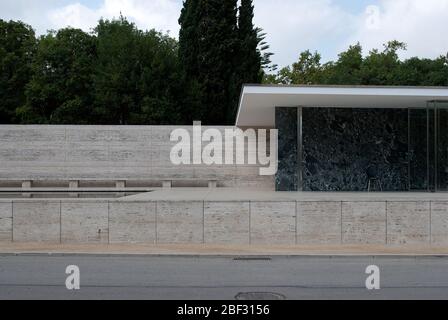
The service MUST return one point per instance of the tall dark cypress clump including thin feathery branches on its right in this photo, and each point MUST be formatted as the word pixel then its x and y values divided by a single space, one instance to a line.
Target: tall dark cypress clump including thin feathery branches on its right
pixel 219 50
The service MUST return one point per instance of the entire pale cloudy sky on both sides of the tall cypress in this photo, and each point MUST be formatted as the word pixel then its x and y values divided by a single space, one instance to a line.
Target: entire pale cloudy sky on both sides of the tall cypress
pixel 292 26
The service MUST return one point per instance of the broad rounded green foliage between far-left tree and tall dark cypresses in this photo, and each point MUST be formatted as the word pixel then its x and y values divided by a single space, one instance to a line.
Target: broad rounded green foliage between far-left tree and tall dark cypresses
pixel 116 75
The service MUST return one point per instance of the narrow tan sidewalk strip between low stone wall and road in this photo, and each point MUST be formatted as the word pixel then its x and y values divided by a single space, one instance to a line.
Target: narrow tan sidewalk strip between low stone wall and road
pixel 219 250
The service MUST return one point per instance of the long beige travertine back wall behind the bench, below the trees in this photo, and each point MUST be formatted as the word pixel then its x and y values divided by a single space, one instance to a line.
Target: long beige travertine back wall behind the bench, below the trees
pixel 110 153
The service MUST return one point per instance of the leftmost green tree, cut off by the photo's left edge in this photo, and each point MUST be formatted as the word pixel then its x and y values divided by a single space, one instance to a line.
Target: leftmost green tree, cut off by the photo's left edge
pixel 17 48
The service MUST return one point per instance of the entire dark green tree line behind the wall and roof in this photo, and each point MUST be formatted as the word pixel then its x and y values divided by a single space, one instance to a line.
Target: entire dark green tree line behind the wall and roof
pixel 119 74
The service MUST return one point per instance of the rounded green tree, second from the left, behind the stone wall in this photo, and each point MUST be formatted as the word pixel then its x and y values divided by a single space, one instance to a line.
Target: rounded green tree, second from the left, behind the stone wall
pixel 60 89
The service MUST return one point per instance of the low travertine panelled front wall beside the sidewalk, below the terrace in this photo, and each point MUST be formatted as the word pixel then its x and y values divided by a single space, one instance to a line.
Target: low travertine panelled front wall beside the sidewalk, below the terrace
pixel 225 222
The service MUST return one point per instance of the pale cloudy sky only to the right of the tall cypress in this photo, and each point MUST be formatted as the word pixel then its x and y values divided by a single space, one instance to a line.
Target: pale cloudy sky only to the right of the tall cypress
pixel 329 26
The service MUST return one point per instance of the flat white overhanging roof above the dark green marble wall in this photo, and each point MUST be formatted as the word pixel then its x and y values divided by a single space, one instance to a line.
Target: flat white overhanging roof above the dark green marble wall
pixel 258 102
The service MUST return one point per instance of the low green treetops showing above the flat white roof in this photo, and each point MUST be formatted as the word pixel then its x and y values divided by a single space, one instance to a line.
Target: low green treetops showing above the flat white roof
pixel 377 68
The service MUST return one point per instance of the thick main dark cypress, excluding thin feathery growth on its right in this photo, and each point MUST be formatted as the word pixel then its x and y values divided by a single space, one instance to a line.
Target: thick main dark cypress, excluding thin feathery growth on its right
pixel 208 45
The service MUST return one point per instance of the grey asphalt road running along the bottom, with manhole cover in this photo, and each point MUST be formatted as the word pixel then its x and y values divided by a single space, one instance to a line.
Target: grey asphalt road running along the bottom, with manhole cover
pixel 197 278
